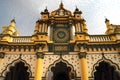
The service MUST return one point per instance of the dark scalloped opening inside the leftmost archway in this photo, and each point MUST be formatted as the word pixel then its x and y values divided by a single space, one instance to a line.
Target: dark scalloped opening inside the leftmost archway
pixel 18 72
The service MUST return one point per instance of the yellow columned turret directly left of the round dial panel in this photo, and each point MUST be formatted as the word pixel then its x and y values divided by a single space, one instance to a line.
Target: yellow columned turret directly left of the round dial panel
pixel 41 27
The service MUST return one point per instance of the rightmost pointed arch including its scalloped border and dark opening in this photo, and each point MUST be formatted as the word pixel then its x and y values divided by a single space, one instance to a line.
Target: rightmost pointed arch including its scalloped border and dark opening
pixel 105 68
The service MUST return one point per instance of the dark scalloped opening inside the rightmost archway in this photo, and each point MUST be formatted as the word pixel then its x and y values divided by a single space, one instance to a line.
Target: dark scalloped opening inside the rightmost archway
pixel 106 72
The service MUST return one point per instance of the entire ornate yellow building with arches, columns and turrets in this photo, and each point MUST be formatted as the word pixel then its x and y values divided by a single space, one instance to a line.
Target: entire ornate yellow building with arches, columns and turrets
pixel 56 52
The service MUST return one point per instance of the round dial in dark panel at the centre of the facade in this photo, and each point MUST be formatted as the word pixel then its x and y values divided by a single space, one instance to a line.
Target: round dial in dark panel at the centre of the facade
pixel 61 35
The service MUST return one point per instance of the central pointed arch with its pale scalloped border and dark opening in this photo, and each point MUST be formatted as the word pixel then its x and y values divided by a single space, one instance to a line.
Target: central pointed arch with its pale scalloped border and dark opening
pixel 62 70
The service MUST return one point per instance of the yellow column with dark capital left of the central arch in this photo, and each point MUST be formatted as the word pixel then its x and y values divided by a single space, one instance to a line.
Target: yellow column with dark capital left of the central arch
pixel 39 67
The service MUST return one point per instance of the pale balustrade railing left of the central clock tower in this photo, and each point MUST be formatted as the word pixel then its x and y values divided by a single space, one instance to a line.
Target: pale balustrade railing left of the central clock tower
pixel 22 39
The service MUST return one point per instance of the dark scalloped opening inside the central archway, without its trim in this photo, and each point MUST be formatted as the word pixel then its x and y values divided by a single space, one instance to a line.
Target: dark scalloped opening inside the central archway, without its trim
pixel 61 71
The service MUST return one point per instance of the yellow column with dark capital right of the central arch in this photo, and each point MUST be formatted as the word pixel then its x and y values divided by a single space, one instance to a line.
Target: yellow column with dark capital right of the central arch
pixel 83 65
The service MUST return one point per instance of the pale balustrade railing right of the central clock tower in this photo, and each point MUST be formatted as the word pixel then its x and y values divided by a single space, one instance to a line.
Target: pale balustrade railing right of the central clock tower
pixel 100 38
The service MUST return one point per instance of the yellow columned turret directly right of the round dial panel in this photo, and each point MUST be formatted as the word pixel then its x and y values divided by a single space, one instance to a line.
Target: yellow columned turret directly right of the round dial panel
pixel 80 25
